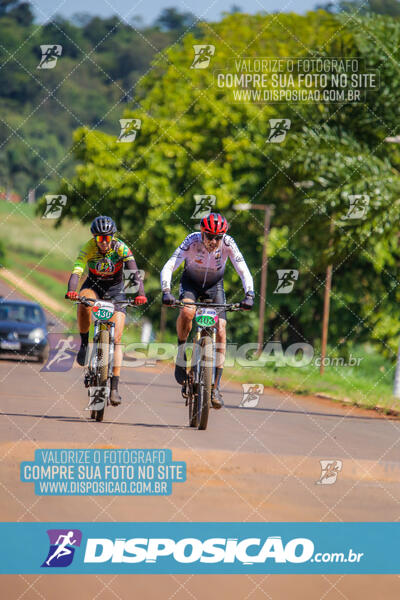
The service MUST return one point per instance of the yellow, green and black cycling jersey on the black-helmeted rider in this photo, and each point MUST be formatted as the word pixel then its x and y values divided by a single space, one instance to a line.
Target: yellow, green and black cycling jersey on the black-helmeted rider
pixel 105 268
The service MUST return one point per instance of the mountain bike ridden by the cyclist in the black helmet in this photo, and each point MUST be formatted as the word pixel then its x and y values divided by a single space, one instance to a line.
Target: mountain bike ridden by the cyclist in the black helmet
pixel 97 377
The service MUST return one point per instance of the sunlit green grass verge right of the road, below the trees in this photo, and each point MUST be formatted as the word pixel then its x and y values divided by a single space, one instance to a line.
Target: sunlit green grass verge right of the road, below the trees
pixel 368 384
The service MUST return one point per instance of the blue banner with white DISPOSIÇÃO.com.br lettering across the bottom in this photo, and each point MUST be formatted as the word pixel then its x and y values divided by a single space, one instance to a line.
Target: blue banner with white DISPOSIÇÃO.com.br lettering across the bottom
pixel 214 548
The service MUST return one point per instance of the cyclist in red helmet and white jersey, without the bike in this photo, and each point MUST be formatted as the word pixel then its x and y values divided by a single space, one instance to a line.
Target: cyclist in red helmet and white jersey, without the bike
pixel 205 254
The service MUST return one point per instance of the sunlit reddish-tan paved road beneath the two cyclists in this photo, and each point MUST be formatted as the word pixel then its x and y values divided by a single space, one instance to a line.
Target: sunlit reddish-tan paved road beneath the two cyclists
pixel 258 464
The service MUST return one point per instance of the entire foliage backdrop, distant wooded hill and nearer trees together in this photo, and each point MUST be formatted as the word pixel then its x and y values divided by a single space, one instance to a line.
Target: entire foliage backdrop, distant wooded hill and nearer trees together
pixel 59 129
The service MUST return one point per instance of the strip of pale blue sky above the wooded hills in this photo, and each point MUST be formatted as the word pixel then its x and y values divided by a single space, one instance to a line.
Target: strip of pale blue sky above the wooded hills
pixel 209 10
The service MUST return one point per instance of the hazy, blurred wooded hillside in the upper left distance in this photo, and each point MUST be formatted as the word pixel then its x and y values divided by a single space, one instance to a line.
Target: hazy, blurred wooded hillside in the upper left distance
pixel 94 77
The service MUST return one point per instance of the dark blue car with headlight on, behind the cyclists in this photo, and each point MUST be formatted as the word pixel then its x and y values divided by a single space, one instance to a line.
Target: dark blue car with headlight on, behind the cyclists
pixel 23 329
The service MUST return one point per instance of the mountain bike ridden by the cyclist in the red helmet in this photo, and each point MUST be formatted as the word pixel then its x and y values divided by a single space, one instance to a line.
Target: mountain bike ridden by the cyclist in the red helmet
pixel 198 389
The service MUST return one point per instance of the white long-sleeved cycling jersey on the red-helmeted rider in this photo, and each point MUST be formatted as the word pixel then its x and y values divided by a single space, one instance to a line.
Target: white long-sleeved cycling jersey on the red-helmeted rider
pixel 206 268
